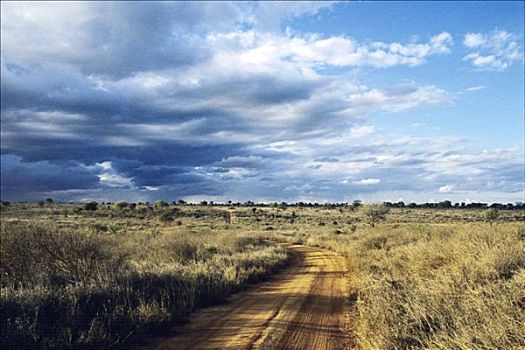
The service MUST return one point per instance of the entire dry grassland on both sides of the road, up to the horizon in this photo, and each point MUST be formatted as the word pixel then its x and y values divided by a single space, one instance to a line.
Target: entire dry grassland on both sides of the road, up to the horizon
pixel 96 275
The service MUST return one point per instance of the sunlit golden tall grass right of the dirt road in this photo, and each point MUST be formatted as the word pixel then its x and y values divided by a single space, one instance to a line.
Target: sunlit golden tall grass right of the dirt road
pixel 434 286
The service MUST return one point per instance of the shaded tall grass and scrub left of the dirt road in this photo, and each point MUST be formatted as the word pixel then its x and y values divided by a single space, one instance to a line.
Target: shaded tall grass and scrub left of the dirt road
pixel 76 287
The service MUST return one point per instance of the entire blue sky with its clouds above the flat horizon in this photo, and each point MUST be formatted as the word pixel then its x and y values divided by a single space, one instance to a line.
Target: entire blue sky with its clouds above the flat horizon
pixel 263 101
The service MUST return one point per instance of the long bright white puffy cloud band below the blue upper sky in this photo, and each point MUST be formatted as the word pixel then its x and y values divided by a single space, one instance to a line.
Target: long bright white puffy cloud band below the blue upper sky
pixel 311 51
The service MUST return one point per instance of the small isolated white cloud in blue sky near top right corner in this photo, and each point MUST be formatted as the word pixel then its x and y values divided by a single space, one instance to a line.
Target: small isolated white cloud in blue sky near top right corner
pixel 495 51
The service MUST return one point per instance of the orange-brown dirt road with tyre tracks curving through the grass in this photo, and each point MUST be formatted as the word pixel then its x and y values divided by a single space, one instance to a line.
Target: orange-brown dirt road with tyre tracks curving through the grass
pixel 301 308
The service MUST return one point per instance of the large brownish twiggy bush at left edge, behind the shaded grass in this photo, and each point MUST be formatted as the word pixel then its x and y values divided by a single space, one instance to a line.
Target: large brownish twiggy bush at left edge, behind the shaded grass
pixel 38 254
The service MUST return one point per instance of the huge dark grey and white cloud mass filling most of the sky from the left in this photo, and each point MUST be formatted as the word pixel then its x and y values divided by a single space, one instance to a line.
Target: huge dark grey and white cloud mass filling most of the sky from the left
pixel 141 101
